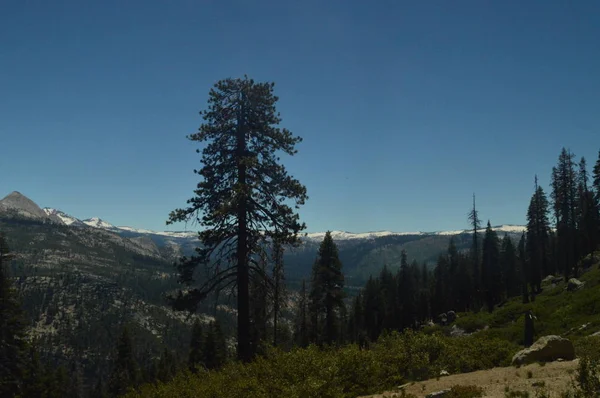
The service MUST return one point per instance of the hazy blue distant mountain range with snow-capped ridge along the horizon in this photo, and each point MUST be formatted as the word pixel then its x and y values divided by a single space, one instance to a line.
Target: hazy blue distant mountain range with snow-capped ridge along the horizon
pixel 362 253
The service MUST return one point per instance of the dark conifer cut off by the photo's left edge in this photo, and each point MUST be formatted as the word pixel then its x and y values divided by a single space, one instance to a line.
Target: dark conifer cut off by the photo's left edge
pixel 13 348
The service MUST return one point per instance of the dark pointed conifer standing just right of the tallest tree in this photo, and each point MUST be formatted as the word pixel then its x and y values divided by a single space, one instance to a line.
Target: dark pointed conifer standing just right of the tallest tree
pixel 326 295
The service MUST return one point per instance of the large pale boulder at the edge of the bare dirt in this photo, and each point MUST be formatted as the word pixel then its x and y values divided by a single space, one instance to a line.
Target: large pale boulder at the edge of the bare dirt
pixel 546 349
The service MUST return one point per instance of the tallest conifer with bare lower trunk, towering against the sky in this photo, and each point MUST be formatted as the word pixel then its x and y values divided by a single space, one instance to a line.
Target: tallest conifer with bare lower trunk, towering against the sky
pixel 242 197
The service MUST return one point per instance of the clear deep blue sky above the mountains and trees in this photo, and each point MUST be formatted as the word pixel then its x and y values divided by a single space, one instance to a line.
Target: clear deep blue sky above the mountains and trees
pixel 406 108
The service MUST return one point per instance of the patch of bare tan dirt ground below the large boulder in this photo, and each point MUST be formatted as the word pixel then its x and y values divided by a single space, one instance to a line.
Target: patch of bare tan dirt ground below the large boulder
pixel 552 378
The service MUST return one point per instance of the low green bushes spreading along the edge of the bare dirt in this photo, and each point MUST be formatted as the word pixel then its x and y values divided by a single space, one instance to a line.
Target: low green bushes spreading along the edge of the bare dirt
pixel 340 372
